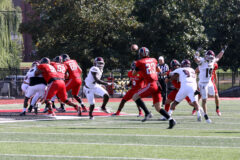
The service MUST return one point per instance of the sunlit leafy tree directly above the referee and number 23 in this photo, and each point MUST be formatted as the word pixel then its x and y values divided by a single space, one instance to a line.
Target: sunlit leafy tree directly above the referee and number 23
pixel 173 29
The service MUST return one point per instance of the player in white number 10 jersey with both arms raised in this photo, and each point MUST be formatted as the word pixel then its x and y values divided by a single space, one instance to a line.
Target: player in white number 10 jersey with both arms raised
pixel 205 66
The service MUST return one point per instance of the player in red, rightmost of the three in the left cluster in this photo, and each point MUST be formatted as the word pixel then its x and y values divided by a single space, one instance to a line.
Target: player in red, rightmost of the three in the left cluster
pixel 75 81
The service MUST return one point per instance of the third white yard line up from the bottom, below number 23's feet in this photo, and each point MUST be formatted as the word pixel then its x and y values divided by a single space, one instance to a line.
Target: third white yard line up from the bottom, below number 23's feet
pixel 123 135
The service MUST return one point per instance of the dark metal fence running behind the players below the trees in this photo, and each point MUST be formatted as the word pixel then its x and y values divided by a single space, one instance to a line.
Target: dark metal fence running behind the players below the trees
pixel 11 81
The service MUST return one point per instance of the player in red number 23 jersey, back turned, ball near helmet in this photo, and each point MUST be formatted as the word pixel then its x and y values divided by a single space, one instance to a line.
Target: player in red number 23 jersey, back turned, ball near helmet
pixel 148 67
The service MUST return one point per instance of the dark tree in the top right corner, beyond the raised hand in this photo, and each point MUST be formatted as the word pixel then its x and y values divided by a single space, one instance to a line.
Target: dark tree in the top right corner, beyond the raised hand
pixel 222 27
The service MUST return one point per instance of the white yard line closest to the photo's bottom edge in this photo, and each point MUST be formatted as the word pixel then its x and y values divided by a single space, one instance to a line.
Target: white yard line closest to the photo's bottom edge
pixel 87 157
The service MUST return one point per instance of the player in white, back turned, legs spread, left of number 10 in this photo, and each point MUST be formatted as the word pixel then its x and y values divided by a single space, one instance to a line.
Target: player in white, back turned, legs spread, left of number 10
pixel 187 77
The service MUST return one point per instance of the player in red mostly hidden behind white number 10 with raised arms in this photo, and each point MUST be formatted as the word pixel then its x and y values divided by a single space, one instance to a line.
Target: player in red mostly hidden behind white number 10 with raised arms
pixel 214 80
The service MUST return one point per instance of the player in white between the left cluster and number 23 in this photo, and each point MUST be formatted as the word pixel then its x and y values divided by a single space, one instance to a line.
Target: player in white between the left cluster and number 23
pixel 92 86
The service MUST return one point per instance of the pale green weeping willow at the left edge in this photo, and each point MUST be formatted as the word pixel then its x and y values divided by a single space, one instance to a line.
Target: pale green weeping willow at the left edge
pixel 10 39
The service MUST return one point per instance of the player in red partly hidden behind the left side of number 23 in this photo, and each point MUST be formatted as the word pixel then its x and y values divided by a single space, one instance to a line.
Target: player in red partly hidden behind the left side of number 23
pixel 136 82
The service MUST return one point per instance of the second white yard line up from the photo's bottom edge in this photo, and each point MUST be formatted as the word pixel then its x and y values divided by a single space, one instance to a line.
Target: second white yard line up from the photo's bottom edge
pixel 118 144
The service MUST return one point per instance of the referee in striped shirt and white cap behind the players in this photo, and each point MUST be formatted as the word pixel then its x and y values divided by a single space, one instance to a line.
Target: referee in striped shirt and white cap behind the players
pixel 161 78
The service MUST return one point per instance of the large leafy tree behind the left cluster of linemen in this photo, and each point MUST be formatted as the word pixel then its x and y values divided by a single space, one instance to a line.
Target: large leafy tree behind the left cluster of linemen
pixel 84 29
